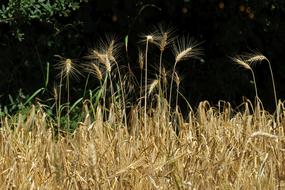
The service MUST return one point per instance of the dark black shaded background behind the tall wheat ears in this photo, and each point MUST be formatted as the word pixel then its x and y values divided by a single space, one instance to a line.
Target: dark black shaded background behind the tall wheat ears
pixel 226 28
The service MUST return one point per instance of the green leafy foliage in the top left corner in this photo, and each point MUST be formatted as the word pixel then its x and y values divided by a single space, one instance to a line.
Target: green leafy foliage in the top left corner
pixel 17 13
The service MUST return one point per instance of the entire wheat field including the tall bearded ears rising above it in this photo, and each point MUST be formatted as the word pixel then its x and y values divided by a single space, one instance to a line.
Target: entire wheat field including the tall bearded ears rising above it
pixel 116 143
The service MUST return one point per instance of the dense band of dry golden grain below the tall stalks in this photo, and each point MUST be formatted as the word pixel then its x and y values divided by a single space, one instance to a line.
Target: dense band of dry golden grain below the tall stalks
pixel 215 149
